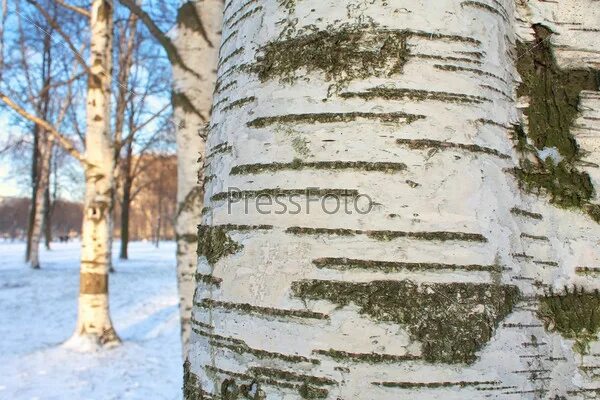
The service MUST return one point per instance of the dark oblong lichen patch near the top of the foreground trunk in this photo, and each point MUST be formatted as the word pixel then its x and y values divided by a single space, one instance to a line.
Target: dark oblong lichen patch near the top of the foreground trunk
pixel 340 55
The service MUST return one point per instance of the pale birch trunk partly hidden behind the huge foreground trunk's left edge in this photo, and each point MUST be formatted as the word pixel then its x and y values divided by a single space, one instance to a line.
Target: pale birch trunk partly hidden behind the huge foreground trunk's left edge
pixel 198 37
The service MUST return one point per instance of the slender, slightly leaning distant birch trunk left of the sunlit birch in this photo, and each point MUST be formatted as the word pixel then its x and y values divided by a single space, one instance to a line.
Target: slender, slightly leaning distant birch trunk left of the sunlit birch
pixel 41 186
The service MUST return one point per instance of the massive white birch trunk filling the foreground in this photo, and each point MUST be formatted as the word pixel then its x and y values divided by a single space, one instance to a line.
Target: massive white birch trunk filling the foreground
pixel 383 222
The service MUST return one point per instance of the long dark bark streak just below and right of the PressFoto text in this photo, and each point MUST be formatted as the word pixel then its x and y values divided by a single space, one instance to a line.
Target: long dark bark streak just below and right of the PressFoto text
pixel 389 235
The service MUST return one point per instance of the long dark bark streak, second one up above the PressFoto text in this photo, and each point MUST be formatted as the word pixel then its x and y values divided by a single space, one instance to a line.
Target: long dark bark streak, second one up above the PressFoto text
pixel 325 118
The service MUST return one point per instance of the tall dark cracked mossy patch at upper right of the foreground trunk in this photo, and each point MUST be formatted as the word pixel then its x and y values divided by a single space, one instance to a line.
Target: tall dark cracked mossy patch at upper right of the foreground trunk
pixel 553 106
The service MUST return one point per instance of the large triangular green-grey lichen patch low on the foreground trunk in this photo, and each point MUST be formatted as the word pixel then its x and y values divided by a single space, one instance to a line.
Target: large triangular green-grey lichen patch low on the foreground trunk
pixel 452 321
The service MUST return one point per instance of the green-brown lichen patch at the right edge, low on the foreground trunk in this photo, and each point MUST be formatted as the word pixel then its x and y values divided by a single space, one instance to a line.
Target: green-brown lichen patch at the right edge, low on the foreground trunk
pixel 574 315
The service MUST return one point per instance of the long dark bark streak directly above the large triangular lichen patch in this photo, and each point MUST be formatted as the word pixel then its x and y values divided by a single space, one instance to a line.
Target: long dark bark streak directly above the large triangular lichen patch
pixel 394 266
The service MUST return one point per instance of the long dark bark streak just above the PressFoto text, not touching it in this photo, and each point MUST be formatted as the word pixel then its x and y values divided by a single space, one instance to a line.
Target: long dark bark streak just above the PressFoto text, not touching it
pixel 325 165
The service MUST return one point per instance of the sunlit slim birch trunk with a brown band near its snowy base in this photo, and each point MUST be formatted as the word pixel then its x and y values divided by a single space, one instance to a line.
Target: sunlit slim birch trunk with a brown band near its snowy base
pixel 94 324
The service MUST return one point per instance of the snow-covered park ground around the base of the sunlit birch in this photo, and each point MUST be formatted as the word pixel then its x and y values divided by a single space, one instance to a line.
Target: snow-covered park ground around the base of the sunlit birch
pixel 38 311
